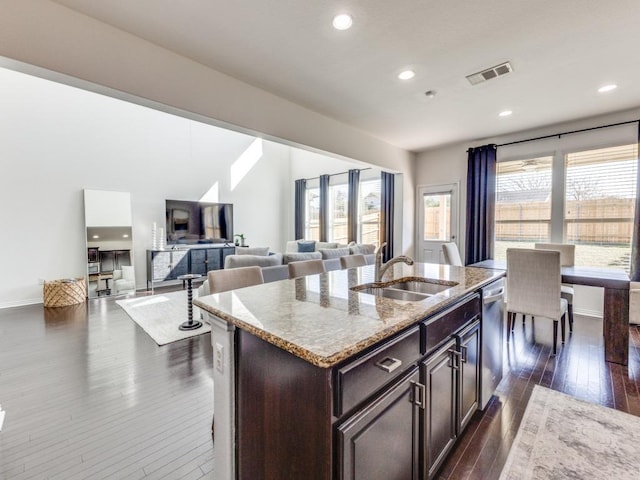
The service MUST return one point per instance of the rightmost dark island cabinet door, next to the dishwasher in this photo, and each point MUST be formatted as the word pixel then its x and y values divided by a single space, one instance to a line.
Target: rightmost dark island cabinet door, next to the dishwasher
pixel 469 385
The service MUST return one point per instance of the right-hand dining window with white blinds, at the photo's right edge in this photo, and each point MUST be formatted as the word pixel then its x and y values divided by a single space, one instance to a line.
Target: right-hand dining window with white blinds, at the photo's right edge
pixel 600 192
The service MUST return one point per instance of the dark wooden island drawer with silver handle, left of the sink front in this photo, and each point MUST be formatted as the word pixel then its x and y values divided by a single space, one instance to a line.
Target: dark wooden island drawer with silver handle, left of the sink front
pixel 357 380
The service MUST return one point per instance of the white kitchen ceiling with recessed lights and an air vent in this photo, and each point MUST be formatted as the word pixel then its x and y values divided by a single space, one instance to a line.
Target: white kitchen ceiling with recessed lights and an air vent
pixel 561 52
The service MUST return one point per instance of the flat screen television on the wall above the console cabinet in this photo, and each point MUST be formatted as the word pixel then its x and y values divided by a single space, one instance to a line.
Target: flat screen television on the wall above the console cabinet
pixel 193 223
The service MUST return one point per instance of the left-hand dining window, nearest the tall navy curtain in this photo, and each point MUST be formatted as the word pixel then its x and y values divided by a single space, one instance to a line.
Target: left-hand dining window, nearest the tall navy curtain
pixel 523 204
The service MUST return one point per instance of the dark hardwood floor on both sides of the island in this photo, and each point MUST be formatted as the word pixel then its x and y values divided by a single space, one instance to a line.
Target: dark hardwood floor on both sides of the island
pixel 89 395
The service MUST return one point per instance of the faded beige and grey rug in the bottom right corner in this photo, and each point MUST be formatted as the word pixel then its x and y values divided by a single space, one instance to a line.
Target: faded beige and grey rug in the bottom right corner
pixel 561 437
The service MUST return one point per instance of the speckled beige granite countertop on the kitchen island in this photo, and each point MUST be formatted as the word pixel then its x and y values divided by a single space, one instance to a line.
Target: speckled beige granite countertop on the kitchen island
pixel 319 319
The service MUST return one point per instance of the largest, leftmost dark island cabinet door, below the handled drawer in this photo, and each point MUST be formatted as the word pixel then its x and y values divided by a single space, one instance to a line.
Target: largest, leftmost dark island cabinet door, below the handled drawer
pixel 382 439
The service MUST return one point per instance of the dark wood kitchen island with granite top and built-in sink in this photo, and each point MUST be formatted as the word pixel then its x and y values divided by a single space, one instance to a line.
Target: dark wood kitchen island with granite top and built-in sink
pixel 327 376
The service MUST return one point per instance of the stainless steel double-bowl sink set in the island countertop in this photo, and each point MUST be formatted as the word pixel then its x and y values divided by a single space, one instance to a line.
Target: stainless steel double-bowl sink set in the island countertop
pixel 412 289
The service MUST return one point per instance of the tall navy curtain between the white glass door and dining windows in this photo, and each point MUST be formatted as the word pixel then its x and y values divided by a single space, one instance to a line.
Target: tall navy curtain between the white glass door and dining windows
pixel 481 203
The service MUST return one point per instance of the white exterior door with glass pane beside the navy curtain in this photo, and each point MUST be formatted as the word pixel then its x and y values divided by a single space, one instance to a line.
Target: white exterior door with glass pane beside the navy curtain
pixel 437 220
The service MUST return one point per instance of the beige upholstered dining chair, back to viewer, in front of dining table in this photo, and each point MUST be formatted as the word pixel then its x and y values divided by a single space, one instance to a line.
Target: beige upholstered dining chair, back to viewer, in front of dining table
pixel 533 287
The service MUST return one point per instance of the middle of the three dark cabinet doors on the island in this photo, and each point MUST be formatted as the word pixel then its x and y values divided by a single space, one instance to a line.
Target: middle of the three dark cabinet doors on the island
pixel 440 380
